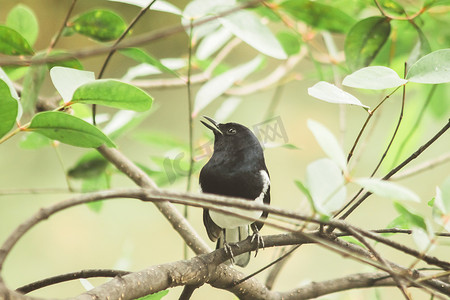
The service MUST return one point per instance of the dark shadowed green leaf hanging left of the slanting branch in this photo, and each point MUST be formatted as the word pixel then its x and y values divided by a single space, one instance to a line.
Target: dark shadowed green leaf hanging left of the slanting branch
pixel 90 165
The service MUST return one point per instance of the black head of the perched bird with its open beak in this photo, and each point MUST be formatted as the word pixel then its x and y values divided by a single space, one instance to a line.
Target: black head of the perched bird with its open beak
pixel 231 137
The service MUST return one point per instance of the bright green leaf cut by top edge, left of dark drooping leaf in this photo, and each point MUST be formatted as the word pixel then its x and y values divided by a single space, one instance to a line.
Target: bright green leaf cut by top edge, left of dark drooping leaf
pixel 319 15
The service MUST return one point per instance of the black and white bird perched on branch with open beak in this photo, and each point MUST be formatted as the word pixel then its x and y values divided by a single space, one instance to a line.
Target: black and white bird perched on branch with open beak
pixel 237 169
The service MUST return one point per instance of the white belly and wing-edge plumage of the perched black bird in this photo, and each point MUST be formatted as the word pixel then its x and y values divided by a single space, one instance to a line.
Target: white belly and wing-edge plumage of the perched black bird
pixel 228 221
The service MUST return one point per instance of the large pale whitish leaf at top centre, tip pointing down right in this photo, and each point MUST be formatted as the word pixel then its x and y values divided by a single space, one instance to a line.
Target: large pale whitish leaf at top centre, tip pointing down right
pixel 246 26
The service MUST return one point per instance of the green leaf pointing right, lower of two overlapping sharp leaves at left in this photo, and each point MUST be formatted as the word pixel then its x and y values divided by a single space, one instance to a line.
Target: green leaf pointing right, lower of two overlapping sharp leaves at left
pixel 68 129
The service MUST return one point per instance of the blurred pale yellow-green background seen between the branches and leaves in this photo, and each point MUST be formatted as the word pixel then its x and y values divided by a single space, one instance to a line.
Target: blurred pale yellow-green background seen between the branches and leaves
pixel 131 235
